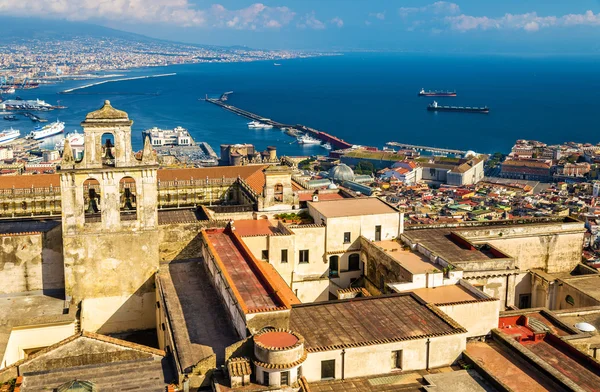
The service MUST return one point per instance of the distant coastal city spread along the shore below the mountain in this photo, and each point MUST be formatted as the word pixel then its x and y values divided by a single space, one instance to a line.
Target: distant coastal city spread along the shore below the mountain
pixel 40 59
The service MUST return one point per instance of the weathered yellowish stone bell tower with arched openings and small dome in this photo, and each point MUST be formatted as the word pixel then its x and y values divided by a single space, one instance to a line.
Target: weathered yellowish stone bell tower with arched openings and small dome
pixel 110 225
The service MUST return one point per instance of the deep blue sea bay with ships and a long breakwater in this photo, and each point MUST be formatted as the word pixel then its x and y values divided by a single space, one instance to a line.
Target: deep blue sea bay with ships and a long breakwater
pixel 366 99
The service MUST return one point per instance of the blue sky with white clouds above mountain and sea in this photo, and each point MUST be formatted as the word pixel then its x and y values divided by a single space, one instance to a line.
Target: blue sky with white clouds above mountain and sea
pixel 503 26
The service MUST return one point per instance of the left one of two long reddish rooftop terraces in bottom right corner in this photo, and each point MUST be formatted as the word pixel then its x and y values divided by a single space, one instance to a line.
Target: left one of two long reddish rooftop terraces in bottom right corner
pixel 510 369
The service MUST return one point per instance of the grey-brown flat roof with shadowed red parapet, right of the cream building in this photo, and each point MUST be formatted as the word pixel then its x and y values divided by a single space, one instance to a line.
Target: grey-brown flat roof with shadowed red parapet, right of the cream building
pixel 442 242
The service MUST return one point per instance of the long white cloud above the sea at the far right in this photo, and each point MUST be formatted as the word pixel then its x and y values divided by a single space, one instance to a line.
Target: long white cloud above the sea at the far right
pixel 530 22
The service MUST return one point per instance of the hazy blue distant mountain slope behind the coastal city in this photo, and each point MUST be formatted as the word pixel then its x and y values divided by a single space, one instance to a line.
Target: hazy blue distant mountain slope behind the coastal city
pixel 14 29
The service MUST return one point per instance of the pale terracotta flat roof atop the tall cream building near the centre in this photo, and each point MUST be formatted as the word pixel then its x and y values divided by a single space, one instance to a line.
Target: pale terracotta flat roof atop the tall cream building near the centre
pixel 352 207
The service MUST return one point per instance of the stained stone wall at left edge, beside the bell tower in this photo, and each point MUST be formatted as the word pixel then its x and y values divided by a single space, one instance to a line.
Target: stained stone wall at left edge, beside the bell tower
pixel 31 262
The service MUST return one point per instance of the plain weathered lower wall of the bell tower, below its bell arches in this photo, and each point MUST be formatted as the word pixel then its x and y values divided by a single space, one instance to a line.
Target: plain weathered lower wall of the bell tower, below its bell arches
pixel 114 274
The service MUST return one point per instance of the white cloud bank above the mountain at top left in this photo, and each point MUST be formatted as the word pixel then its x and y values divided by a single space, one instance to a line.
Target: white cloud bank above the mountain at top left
pixel 176 12
